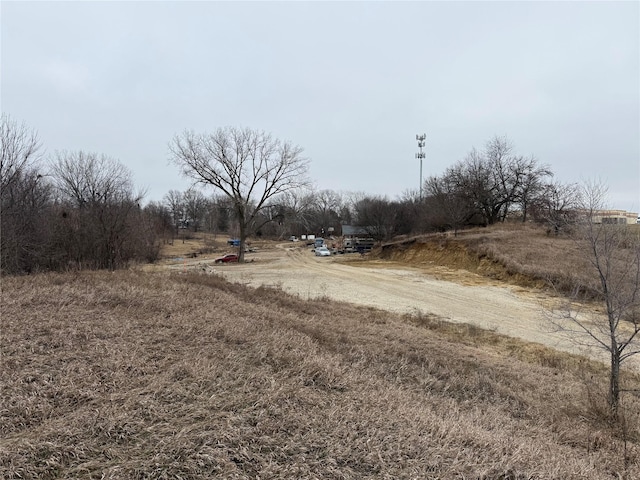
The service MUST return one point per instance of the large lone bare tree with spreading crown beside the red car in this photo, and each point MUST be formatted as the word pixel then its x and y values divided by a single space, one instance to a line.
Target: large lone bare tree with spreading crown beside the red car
pixel 248 166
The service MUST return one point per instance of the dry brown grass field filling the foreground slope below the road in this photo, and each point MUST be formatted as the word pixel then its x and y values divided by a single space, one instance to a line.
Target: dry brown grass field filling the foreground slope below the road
pixel 140 375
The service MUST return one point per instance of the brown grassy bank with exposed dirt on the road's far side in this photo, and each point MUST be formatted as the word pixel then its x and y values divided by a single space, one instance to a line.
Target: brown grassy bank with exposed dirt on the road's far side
pixel 524 255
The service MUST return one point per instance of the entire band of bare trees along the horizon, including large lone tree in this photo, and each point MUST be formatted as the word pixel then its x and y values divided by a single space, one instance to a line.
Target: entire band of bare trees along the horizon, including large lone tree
pixel 77 209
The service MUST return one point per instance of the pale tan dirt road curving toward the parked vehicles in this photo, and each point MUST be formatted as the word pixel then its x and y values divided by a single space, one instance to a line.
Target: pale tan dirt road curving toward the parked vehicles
pixel 504 309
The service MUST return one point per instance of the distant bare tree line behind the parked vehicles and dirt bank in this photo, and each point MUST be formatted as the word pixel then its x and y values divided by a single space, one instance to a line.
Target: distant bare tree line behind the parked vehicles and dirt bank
pixel 486 187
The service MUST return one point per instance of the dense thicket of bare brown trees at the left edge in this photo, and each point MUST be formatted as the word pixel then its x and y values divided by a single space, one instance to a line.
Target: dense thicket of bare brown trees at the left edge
pixel 78 210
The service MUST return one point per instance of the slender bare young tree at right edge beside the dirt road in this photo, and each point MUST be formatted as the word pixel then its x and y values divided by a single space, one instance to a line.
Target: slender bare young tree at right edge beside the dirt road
pixel 613 254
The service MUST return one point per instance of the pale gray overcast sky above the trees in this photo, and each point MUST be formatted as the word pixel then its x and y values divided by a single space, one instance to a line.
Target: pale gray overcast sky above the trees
pixel 352 83
